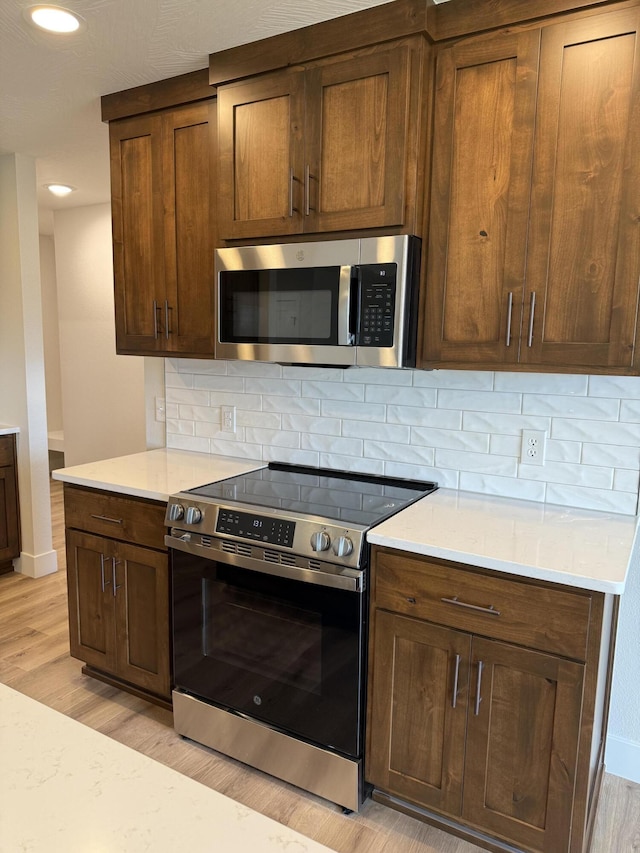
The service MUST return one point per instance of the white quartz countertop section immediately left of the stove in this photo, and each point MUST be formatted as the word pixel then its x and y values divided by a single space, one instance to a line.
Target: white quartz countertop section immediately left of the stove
pixel 155 474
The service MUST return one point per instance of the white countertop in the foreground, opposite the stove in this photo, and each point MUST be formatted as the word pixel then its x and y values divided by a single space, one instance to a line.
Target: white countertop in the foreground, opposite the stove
pixel 65 787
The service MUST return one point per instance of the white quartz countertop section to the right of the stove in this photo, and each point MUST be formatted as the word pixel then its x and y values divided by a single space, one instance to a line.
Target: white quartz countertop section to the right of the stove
pixel 588 549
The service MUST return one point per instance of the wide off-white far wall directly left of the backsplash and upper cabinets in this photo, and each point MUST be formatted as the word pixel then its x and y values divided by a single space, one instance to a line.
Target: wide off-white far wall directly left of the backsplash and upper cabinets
pixel 103 394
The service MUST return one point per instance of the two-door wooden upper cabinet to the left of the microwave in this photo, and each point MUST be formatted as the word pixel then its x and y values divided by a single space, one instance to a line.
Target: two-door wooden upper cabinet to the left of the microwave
pixel 161 165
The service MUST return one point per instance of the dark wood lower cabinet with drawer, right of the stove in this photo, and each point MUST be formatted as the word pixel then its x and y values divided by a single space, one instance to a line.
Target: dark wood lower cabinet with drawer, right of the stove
pixel 501 743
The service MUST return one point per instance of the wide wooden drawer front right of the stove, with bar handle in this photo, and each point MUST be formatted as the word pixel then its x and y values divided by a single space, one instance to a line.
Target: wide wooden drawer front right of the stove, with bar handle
pixel 541 617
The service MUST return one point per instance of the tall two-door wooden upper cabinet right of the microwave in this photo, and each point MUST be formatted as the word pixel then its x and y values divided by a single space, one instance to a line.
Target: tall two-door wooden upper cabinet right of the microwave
pixel 534 244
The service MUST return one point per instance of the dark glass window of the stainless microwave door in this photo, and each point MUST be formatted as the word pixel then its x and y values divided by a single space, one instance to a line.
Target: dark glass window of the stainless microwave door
pixel 280 306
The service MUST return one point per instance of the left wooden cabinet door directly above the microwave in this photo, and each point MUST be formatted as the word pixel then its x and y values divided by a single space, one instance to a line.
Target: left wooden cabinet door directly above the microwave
pixel 260 146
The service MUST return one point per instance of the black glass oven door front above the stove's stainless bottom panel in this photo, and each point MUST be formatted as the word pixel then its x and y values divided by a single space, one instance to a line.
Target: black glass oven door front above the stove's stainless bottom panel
pixel 285 652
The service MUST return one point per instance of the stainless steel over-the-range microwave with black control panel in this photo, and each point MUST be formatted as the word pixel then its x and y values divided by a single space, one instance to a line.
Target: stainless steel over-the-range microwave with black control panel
pixel 339 302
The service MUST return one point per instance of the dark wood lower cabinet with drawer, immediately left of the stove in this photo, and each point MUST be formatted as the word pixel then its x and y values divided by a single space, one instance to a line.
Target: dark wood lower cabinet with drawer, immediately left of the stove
pixel 119 593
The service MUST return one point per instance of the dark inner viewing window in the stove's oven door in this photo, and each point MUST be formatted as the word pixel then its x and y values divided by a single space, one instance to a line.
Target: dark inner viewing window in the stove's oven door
pixel 254 633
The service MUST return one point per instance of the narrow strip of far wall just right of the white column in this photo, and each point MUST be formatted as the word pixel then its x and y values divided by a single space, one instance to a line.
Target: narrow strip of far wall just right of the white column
pixel 51 336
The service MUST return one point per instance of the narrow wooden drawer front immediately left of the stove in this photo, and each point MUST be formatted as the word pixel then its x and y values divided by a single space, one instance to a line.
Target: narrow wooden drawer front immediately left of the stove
pixel 117 516
